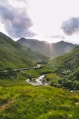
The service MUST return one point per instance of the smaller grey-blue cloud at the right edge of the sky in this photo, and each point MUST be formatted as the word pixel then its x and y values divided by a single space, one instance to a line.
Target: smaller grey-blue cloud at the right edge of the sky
pixel 71 26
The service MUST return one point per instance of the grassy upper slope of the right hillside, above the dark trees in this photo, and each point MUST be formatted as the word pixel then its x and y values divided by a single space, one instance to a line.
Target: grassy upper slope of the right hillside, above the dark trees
pixel 67 61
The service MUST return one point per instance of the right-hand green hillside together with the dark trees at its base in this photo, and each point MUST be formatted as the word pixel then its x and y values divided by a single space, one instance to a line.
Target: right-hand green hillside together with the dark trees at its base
pixel 67 68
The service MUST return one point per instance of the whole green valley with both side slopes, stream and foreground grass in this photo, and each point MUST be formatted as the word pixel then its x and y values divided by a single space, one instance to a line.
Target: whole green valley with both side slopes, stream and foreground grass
pixel 33 86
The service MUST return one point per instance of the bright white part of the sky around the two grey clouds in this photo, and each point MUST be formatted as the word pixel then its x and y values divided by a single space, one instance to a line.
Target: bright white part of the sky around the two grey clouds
pixel 47 16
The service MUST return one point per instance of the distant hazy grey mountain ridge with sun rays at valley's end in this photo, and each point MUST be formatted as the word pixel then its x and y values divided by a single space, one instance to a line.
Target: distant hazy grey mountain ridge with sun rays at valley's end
pixel 51 50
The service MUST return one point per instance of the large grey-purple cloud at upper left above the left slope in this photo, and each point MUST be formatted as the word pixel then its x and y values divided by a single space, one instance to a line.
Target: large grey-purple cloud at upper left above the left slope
pixel 16 20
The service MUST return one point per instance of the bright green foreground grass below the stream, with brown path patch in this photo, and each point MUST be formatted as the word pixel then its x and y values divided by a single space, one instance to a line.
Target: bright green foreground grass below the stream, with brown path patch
pixel 20 100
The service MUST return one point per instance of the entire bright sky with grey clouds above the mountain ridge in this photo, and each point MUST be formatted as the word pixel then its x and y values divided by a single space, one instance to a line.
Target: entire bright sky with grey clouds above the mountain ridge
pixel 49 20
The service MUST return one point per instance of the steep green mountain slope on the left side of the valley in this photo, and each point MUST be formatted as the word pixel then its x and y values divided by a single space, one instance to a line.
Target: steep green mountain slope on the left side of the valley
pixel 12 54
